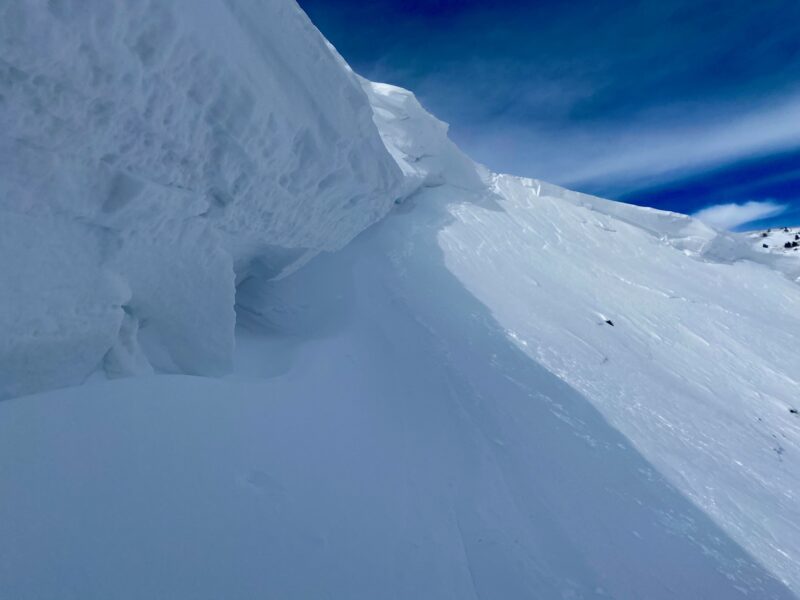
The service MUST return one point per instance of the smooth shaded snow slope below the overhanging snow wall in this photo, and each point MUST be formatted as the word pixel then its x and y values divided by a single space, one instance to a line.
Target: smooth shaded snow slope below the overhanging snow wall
pixel 384 437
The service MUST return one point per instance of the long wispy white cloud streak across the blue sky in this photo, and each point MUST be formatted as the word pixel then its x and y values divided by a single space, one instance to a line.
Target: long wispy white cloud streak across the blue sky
pixel 649 149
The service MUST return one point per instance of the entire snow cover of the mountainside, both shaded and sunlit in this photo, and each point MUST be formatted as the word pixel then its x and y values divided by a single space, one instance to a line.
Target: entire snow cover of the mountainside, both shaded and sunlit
pixel 440 407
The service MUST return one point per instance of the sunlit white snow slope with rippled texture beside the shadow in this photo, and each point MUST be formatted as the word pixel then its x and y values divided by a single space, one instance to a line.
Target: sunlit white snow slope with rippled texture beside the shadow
pixel 698 370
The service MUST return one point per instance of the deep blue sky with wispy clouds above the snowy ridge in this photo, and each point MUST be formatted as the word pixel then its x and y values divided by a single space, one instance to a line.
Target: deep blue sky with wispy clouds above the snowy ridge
pixel 676 104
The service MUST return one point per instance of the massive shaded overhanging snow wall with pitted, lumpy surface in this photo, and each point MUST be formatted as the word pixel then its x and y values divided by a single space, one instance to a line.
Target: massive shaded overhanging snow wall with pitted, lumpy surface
pixel 151 151
